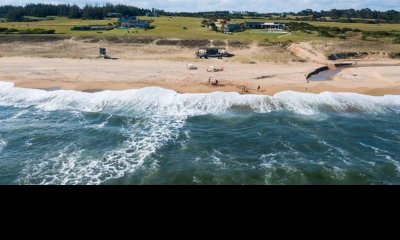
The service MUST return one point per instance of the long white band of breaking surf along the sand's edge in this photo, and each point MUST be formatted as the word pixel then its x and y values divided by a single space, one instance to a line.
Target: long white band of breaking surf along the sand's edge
pixel 155 100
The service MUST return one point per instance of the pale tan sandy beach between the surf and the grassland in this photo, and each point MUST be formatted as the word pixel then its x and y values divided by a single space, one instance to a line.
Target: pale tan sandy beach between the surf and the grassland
pixel 166 67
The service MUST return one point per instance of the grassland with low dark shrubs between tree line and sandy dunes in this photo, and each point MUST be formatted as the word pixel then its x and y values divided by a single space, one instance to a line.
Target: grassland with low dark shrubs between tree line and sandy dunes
pixel 193 28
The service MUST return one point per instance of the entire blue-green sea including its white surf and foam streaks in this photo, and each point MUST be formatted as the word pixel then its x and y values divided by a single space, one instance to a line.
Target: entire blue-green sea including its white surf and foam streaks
pixel 157 136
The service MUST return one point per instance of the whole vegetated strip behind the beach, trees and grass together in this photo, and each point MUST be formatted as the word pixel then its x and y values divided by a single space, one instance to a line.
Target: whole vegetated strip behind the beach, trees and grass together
pixel 189 29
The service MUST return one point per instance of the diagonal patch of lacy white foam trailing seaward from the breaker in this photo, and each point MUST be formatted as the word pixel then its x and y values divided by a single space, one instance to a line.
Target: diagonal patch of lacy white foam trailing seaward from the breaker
pixel 72 166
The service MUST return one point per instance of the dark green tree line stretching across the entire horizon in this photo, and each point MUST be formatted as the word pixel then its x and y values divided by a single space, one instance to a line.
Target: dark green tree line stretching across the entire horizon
pixel 16 13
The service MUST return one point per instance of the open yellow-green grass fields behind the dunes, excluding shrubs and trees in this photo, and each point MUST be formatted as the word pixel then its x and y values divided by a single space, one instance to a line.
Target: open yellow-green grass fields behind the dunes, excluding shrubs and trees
pixel 173 27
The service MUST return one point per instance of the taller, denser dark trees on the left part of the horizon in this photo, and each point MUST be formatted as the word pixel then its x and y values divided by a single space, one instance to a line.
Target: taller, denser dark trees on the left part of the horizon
pixel 17 13
